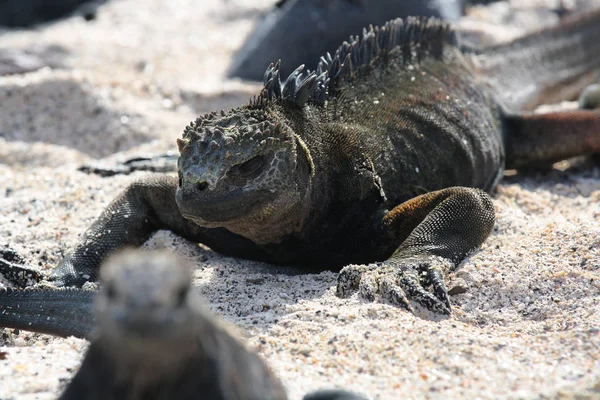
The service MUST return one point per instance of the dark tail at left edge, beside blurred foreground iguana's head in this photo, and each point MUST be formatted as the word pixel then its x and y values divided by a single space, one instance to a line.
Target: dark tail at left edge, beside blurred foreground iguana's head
pixel 64 312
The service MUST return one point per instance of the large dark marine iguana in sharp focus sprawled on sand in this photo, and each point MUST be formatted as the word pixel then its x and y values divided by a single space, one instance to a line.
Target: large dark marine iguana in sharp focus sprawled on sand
pixel 382 157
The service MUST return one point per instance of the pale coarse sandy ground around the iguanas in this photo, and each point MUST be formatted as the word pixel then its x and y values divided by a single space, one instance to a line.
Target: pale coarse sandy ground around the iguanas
pixel 527 327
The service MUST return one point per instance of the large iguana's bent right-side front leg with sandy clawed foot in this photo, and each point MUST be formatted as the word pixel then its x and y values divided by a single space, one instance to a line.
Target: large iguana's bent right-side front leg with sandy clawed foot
pixel 434 232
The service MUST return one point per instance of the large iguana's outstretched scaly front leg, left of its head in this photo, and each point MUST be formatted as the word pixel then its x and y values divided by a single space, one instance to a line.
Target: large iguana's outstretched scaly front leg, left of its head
pixel 141 209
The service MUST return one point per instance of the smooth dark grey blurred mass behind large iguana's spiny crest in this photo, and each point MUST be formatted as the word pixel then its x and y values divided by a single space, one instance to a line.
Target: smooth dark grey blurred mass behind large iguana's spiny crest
pixel 314 27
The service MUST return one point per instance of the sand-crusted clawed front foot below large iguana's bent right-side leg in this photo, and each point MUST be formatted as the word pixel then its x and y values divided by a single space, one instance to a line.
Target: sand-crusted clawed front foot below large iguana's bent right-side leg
pixel 397 281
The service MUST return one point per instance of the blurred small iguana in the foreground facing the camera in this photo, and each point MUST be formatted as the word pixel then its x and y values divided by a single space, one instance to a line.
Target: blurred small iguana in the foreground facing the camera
pixel 155 339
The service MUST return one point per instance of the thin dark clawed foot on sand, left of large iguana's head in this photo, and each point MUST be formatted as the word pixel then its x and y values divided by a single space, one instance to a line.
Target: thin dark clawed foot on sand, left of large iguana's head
pixel 162 163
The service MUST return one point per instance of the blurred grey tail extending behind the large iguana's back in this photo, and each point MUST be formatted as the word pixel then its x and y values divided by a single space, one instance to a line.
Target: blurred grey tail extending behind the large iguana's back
pixel 545 66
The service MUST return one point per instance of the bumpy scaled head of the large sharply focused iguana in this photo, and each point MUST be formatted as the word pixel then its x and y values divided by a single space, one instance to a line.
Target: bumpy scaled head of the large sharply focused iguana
pixel 245 170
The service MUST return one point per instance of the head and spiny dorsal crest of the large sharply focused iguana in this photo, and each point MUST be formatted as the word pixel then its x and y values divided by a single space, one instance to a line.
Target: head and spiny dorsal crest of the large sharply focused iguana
pixel 249 169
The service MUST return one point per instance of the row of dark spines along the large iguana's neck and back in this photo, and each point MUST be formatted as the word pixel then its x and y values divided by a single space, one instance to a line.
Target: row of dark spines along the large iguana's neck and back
pixel 416 38
